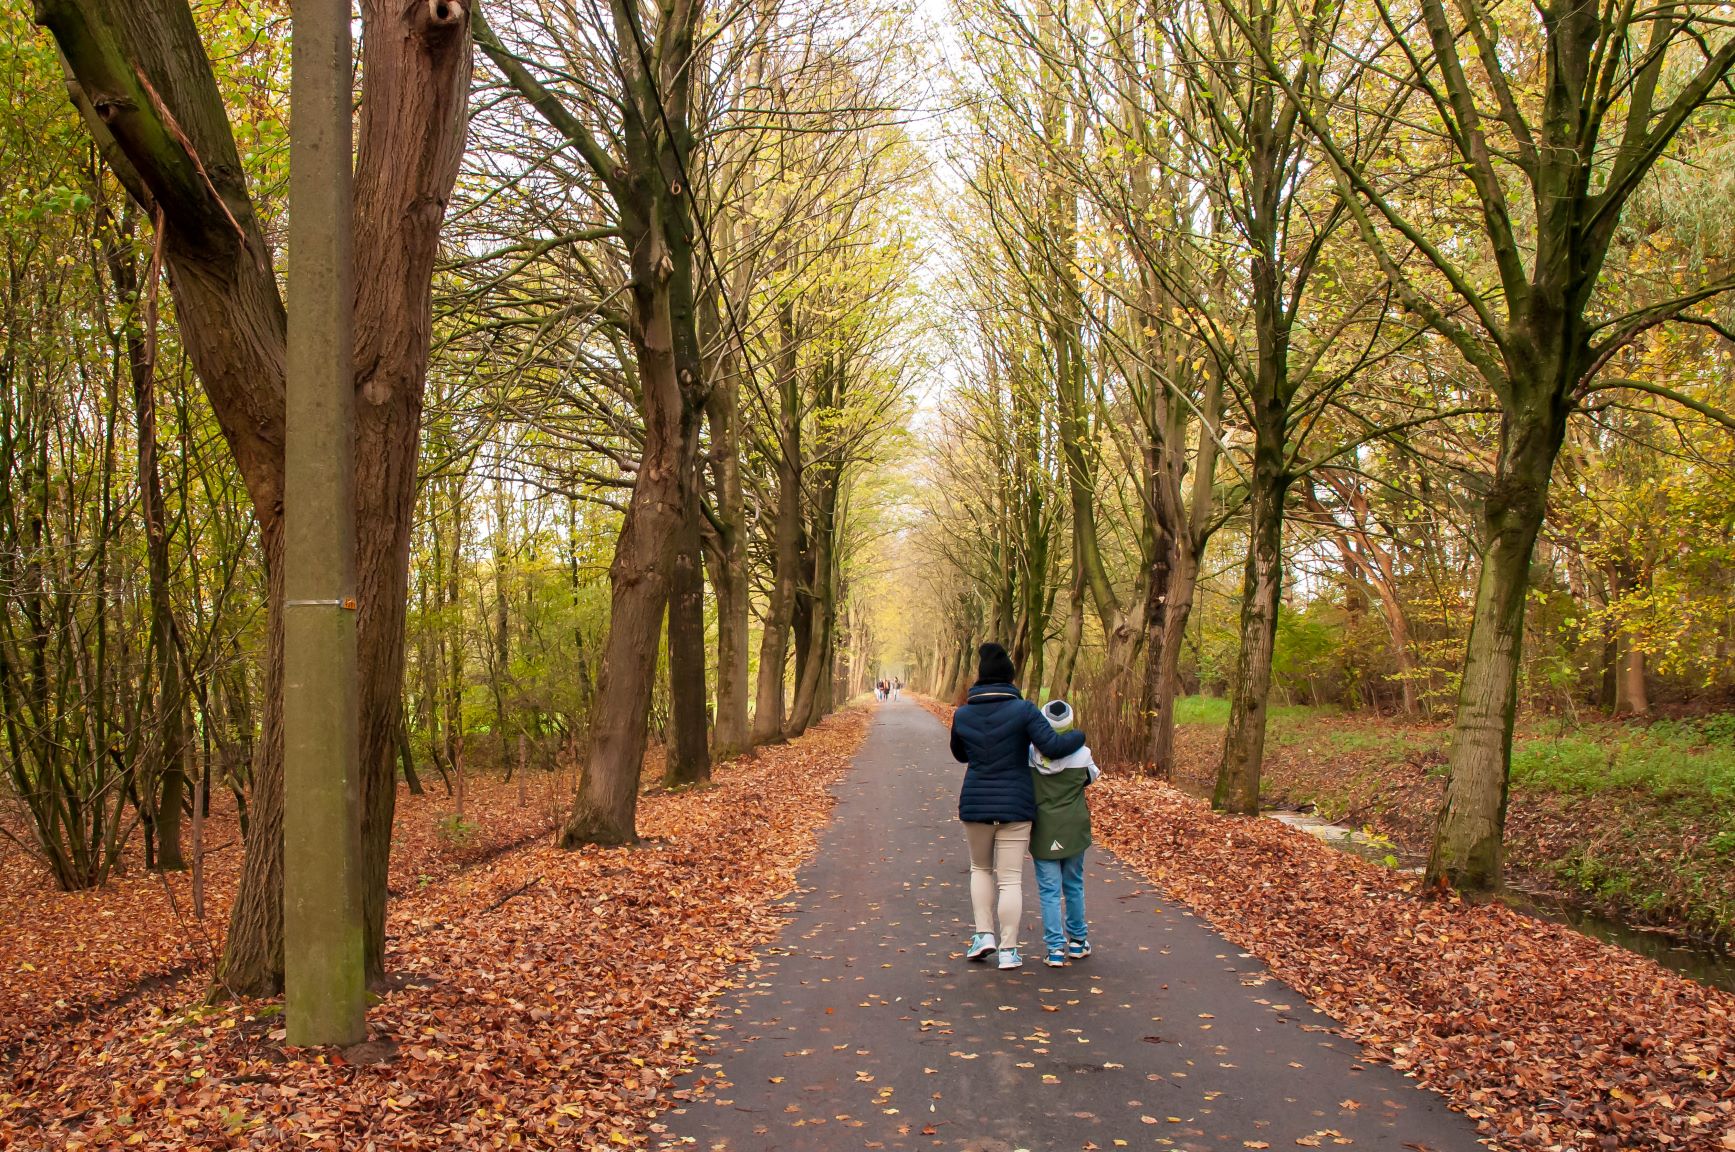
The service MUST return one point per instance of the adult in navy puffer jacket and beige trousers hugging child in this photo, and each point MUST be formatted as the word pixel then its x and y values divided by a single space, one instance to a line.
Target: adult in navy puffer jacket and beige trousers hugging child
pixel 993 733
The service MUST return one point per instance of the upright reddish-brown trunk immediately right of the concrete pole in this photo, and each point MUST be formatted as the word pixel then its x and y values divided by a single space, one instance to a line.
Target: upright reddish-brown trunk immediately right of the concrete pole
pixel 414 112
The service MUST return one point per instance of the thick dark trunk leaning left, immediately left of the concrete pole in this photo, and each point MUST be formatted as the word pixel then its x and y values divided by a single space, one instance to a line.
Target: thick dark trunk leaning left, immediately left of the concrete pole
pixel 129 67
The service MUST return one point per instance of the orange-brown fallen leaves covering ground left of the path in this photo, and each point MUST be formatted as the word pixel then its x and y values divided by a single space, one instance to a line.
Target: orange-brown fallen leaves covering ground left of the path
pixel 540 998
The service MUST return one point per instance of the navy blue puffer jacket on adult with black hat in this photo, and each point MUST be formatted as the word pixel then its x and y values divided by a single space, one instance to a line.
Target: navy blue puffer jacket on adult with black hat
pixel 993 733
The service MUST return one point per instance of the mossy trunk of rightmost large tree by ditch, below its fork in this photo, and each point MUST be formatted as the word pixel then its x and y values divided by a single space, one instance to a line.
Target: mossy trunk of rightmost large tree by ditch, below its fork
pixel 1469 849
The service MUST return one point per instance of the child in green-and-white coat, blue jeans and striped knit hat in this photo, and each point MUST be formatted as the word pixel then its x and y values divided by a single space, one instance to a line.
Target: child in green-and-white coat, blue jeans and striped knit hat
pixel 1059 841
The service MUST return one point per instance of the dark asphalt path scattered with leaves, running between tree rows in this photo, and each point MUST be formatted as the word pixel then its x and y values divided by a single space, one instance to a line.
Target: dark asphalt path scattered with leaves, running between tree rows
pixel 868 1030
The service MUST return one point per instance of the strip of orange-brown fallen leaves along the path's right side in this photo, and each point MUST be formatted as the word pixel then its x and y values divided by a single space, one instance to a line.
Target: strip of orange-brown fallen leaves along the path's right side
pixel 1548 1038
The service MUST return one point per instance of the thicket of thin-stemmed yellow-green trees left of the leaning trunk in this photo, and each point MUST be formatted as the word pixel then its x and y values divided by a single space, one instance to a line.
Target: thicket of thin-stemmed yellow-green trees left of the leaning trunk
pixel 75 653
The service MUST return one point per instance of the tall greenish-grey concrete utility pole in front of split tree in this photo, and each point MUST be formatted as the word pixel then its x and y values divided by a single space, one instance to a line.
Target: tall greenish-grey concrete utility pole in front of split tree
pixel 325 976
